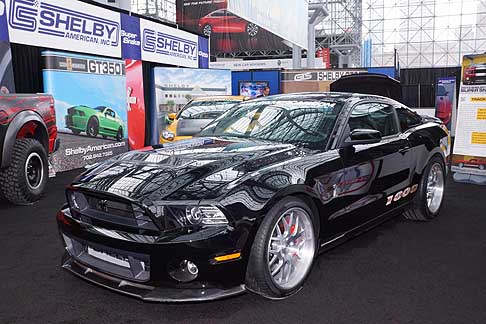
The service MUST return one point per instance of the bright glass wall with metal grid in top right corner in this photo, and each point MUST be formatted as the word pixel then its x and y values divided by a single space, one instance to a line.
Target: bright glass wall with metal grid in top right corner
pixel 425 33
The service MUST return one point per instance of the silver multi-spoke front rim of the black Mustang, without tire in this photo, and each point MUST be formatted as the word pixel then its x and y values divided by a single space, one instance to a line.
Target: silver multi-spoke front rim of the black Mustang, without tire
pixel 291 248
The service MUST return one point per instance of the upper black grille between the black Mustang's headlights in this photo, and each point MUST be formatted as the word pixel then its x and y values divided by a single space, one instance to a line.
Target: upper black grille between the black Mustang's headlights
pixel 111 213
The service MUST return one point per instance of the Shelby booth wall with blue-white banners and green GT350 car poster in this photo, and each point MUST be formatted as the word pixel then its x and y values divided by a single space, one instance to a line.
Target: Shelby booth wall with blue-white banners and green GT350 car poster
pixel 97 63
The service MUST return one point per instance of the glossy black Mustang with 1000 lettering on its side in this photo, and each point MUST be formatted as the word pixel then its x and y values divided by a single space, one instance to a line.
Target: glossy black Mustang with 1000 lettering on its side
pixel 249 203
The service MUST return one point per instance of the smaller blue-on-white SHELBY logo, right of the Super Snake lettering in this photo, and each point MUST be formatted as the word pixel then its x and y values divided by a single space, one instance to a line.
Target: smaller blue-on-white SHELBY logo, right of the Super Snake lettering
pixel 160 43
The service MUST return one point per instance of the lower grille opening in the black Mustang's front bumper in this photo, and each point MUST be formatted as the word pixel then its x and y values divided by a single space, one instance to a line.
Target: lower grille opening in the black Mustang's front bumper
pixel 124 264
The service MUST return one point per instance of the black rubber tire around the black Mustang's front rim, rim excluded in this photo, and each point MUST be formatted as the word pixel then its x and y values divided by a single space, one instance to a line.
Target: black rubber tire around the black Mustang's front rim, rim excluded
pixel 258 277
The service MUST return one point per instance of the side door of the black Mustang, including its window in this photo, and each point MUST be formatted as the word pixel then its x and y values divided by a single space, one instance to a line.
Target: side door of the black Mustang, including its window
pixel 372 172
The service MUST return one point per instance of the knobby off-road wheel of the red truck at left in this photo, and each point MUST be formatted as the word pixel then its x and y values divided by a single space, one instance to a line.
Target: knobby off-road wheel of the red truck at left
pixel 15 185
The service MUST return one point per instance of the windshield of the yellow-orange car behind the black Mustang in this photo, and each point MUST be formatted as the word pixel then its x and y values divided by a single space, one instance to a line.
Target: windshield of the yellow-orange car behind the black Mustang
pixel 210 109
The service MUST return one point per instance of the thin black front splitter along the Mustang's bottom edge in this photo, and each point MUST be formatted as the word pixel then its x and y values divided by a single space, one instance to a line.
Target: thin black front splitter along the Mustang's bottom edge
pixel 145 292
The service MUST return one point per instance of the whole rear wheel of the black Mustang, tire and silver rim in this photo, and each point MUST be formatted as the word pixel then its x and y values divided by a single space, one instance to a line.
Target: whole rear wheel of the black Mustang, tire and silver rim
pixel 428 201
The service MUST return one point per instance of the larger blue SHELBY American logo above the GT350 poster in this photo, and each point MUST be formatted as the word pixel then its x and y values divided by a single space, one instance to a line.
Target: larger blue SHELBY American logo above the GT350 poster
pixel 48 19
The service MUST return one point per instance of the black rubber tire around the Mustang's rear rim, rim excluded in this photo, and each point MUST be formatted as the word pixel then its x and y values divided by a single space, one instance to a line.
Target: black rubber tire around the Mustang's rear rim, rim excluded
pixel 419 209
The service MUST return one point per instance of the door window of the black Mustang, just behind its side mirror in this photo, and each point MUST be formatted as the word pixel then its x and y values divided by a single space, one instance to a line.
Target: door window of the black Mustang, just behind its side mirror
pixel 374 115
